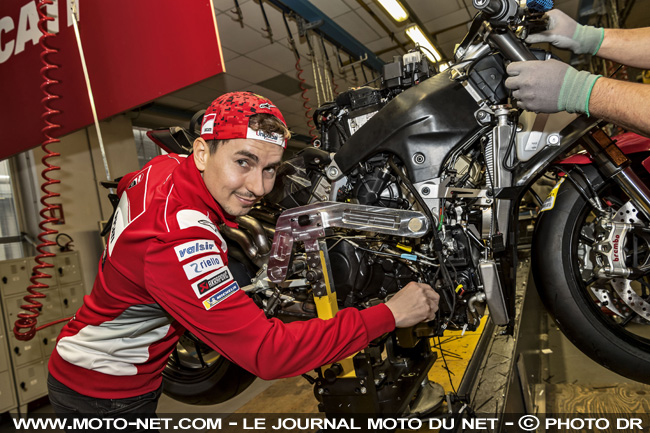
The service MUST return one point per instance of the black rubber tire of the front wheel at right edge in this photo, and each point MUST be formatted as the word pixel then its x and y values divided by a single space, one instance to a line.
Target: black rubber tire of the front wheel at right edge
pixel 563 289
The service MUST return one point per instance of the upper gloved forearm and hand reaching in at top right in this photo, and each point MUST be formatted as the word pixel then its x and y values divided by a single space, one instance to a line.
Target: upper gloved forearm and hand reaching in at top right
pixel 626 46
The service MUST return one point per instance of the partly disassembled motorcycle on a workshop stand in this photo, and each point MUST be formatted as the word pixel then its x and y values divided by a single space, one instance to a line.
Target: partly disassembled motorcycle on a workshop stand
pixel 421 179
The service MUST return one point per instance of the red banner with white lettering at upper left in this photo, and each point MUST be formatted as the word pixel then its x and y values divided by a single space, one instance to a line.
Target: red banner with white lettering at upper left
pixel 135 50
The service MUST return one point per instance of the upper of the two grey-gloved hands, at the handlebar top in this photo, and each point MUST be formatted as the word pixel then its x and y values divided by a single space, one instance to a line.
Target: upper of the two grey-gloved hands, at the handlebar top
pixel 564 32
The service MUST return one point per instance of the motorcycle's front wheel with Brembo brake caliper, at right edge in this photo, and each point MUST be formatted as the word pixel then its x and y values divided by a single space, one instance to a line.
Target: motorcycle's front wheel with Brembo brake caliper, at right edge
pixel 605 316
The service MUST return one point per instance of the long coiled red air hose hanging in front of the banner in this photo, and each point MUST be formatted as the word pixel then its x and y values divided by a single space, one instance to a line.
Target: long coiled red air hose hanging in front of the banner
pixel 25 326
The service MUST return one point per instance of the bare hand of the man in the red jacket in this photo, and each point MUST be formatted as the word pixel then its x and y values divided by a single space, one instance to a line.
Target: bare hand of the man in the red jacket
pixel 415 303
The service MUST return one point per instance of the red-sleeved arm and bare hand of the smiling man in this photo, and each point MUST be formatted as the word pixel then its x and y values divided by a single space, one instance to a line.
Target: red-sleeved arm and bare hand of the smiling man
pixel 231 323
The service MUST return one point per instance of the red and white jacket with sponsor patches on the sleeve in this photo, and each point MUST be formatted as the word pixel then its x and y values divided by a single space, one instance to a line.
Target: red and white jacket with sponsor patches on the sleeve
pixel 164 270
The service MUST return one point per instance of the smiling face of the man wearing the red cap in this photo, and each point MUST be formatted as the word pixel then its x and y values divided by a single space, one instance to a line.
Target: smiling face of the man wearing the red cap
pixel 239 173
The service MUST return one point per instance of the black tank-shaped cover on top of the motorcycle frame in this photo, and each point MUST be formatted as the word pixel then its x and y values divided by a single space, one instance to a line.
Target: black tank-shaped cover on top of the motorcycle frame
pixel 430 118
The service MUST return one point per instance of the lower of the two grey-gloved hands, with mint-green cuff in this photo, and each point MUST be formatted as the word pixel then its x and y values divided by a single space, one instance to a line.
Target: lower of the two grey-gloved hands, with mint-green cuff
pixel 549 86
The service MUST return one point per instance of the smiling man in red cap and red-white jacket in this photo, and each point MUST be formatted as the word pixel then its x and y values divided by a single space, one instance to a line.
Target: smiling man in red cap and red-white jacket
pixel 164 271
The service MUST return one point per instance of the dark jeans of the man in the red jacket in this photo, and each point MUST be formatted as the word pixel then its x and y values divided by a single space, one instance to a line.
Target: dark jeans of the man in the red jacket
pixel 71 404
